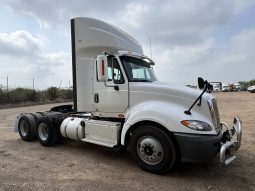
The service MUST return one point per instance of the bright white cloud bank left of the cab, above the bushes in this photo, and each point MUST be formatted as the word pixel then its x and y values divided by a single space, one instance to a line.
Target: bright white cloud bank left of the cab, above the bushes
pixel 25 57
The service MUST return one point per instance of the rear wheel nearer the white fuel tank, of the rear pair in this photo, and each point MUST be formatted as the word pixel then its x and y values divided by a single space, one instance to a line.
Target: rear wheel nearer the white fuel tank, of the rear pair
pixel 46 133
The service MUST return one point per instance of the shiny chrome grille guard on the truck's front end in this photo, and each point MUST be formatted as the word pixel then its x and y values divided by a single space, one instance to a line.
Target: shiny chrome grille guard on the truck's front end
pixel 233 141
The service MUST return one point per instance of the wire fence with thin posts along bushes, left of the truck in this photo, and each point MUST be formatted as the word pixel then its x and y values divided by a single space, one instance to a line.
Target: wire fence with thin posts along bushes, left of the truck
pixel 17 90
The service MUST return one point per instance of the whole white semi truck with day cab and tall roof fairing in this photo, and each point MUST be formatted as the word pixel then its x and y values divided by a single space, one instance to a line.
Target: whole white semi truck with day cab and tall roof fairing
pixel 119 103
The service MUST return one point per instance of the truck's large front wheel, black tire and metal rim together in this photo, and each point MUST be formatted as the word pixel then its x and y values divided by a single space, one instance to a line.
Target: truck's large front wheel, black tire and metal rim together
pixel 152 149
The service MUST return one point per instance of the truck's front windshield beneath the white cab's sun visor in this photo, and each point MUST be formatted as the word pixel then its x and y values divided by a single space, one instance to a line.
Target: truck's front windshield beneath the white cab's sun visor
pixel 138 70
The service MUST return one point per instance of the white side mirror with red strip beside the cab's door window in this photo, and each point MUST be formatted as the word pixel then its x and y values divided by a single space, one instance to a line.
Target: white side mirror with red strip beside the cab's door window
pixel 102 68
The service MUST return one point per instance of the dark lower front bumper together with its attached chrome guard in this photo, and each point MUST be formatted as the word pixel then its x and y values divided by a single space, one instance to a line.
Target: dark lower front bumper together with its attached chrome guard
pixel 203 148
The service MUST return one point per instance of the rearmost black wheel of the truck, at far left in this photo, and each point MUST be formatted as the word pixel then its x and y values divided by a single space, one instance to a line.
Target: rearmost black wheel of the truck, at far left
pixel 26 127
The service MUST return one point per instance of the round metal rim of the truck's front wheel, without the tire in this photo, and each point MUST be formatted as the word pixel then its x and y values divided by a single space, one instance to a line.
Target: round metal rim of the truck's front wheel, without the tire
pixel 150 150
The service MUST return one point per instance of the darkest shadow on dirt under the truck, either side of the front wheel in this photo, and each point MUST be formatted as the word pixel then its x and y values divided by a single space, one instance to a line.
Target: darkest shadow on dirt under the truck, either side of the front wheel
pixel 119 159
